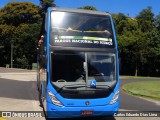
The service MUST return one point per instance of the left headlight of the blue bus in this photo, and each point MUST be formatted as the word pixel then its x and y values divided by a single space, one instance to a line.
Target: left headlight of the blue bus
pixel 54 100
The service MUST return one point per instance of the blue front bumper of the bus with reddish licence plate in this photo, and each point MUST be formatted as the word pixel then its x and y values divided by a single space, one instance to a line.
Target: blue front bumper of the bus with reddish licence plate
pixel 71 112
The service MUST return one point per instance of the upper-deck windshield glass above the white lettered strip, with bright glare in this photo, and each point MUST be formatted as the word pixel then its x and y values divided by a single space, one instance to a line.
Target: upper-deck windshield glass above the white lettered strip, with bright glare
pixel 99 25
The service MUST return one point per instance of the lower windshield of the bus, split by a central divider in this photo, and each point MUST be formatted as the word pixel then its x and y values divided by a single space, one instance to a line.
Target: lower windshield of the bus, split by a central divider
pixel 81 67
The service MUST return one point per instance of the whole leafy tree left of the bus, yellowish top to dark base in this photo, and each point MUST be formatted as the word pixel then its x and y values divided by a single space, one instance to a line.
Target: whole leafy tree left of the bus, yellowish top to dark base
pixel 21 29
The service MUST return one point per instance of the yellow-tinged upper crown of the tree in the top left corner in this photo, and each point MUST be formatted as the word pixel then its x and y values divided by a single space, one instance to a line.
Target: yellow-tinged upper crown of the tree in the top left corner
pixel 15 13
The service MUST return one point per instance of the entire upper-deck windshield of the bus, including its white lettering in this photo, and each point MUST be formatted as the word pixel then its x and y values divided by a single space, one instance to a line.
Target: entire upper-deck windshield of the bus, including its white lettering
pixel 81 29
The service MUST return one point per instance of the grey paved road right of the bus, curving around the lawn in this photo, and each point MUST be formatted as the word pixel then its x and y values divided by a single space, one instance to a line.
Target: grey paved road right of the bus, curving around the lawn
pixel 130 102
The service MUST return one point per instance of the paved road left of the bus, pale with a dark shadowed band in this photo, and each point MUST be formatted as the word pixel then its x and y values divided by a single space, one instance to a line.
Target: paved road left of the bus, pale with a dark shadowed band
pixel 18 92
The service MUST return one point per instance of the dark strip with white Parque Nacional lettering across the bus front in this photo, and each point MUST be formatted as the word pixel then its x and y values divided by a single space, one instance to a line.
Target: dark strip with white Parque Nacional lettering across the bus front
pixel 82 41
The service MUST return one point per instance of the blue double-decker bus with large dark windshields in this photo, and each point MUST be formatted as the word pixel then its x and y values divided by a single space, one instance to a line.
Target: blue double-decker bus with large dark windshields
pixel 78 66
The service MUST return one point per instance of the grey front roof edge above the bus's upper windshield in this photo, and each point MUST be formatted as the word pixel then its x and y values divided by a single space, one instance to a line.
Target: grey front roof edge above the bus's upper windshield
pixel 79 11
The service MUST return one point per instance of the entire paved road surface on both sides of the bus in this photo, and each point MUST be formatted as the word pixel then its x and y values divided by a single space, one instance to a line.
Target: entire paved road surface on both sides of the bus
pixel 18 93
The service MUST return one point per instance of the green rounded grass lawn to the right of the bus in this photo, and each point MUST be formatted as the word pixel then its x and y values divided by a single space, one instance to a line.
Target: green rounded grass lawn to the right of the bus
pixel 149 89
